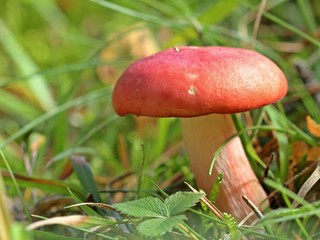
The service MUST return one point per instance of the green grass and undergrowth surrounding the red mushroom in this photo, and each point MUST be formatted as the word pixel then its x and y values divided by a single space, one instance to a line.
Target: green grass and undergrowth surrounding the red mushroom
pixel 62 144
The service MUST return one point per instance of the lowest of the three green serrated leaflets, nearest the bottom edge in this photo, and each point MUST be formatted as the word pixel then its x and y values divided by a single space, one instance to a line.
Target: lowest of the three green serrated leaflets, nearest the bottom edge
pixel 159 226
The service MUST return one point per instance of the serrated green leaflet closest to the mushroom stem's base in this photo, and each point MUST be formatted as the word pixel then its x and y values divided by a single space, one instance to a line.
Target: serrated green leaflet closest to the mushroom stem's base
pixel 181 201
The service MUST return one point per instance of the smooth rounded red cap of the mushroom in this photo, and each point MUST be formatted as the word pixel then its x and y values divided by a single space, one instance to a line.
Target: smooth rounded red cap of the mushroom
pixel 195 81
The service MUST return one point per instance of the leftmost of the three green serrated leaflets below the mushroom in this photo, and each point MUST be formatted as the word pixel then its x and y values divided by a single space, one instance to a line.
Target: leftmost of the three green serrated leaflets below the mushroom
pixel 144 207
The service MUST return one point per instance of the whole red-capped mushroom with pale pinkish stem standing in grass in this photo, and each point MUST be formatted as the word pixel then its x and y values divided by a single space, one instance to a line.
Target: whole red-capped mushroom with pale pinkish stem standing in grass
pixel 203 86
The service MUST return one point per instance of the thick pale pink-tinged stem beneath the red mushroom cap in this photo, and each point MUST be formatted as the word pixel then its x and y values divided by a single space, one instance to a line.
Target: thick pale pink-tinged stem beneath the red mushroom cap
pixel 202 137
